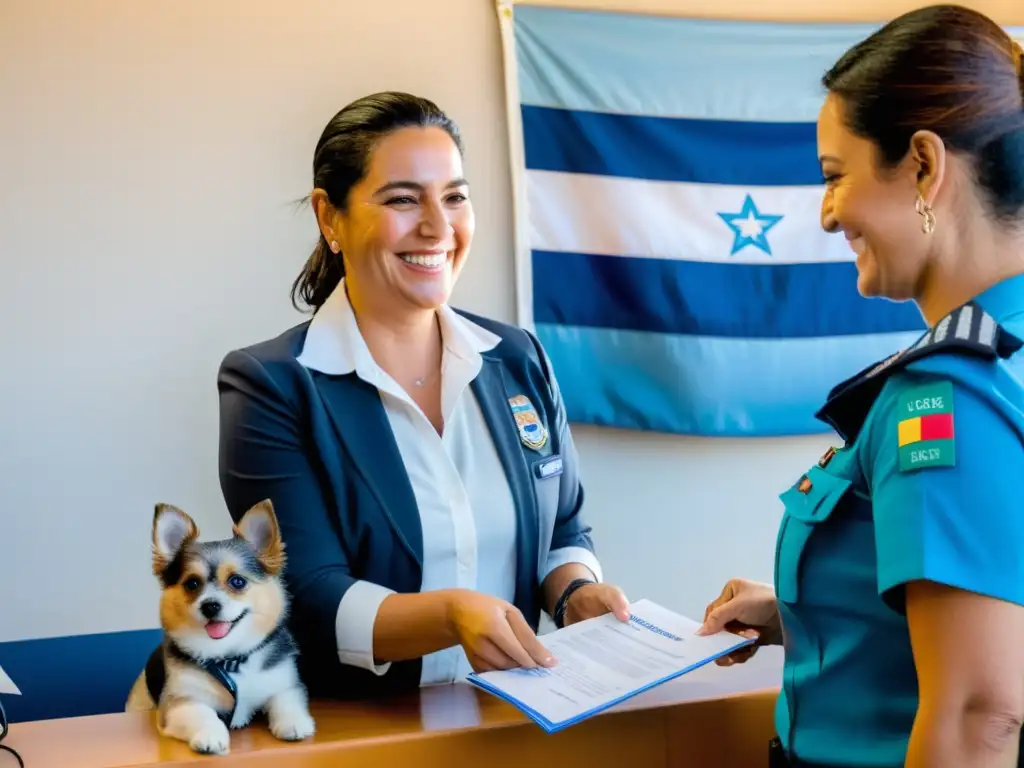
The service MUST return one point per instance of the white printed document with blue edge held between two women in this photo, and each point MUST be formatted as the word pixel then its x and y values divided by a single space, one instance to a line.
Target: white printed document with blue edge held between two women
pixel 604 662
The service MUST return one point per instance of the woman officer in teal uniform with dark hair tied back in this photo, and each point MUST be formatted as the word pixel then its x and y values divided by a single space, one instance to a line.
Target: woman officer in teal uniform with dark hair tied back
pixel 900 574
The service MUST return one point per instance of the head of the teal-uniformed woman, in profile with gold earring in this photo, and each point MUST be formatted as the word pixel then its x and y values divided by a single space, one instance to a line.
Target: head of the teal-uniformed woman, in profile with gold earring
pixel 946 134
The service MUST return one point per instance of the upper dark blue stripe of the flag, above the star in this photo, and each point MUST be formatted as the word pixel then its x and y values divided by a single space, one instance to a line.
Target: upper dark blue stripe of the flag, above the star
pixel 671 150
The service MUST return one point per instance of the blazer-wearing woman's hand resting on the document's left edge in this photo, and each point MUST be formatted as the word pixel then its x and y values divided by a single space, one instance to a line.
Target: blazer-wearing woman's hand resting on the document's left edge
pixel 494 633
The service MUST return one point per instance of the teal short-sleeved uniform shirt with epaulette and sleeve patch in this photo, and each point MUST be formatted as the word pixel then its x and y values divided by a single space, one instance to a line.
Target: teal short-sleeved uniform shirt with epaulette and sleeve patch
pixel 929 485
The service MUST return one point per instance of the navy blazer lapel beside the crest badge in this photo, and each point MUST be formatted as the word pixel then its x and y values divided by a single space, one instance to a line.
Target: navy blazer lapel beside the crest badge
pixel 493 396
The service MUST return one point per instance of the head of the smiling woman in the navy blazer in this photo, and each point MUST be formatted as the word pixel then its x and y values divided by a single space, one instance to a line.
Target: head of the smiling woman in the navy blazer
pixel 378 163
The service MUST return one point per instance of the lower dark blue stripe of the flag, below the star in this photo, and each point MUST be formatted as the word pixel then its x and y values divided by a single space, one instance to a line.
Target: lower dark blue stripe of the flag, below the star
pixel 765 302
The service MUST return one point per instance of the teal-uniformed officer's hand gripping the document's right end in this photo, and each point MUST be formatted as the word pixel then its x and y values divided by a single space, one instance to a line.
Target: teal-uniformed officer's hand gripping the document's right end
pixel 748 609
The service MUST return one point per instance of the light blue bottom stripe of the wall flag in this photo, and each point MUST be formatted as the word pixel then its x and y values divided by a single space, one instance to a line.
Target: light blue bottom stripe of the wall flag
pixel 705 387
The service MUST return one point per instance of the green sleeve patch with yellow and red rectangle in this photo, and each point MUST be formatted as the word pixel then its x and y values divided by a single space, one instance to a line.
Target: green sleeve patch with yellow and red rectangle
pixel 925 428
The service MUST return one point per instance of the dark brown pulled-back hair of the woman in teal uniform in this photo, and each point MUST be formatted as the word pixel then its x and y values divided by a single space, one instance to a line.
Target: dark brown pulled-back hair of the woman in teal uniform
pixel 949 70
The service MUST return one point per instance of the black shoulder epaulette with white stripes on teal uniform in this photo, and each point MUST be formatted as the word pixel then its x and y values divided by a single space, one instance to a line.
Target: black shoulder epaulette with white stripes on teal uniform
pixel 968 330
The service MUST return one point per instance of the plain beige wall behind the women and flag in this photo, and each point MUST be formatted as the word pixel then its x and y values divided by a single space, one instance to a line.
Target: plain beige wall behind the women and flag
pixel 150 154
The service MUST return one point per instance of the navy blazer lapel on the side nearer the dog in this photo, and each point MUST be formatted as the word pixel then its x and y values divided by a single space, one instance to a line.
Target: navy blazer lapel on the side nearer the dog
pixel 362 425
